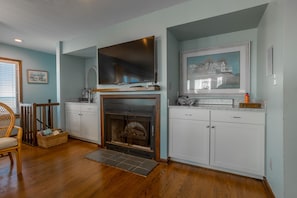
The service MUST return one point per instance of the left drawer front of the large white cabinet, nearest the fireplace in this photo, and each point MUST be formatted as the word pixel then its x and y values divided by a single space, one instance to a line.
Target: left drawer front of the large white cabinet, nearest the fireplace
pixel 189 114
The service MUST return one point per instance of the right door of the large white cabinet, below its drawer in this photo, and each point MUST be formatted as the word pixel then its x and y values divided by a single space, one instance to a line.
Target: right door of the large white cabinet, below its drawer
pixel 238 147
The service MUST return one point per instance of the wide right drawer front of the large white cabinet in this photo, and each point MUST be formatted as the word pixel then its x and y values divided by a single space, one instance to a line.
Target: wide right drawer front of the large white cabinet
pixel 238 117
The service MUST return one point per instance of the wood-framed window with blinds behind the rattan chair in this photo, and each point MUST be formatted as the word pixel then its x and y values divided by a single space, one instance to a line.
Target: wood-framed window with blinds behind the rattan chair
pixel 11 83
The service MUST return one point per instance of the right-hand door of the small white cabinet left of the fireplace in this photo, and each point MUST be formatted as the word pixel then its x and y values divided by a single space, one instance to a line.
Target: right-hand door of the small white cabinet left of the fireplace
pixel 89 125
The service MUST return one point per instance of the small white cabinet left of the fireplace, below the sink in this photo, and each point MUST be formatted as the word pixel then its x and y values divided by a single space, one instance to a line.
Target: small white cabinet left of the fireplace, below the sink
pixel 82 121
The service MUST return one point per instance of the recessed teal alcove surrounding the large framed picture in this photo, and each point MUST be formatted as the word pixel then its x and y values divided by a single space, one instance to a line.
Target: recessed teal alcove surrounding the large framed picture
pixel 218 31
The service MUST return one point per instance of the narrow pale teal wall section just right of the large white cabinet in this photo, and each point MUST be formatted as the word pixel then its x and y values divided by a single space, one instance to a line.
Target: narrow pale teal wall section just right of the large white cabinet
pixel 270 33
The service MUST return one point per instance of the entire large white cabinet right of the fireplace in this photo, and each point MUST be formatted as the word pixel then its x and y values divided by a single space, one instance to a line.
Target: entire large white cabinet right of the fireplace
pixel 227 140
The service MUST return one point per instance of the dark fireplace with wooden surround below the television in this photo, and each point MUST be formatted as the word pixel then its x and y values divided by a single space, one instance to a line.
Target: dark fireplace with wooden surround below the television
pixel 130 124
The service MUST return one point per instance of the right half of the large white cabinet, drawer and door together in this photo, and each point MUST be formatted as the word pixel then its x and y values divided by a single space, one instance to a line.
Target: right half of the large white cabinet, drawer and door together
pixel 238 141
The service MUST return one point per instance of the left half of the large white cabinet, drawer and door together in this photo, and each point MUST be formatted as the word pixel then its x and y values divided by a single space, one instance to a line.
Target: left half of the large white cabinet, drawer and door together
pixel 189 135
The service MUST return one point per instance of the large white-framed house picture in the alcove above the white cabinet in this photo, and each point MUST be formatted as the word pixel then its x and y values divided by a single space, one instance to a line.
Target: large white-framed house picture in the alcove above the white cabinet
pixel 224 70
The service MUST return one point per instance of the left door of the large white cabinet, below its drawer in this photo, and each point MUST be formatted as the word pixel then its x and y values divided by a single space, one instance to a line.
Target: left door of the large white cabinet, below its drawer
pixel 189 140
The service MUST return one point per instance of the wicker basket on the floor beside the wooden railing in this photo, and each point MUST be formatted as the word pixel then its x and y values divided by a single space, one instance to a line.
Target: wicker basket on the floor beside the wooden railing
pixel 52 140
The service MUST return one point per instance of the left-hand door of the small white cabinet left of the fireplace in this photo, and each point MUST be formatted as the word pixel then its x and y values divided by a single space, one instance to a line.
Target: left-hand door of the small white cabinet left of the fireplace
pixel 73 123
